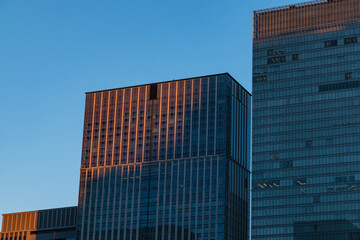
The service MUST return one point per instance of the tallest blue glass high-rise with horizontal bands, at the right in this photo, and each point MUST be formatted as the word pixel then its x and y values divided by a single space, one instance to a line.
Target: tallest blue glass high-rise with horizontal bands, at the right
pixel 306 121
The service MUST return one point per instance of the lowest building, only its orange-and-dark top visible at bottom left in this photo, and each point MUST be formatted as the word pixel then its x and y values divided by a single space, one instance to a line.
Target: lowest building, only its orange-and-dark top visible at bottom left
pixel 50 224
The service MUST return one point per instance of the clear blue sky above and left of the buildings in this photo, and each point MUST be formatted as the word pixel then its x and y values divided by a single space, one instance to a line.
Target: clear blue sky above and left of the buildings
pixel 53 51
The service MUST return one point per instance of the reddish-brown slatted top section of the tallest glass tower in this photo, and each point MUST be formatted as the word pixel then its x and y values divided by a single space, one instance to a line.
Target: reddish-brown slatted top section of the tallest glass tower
pixel 304 16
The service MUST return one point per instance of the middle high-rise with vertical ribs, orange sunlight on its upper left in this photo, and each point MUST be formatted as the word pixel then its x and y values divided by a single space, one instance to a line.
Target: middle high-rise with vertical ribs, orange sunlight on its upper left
pixel 166 161
